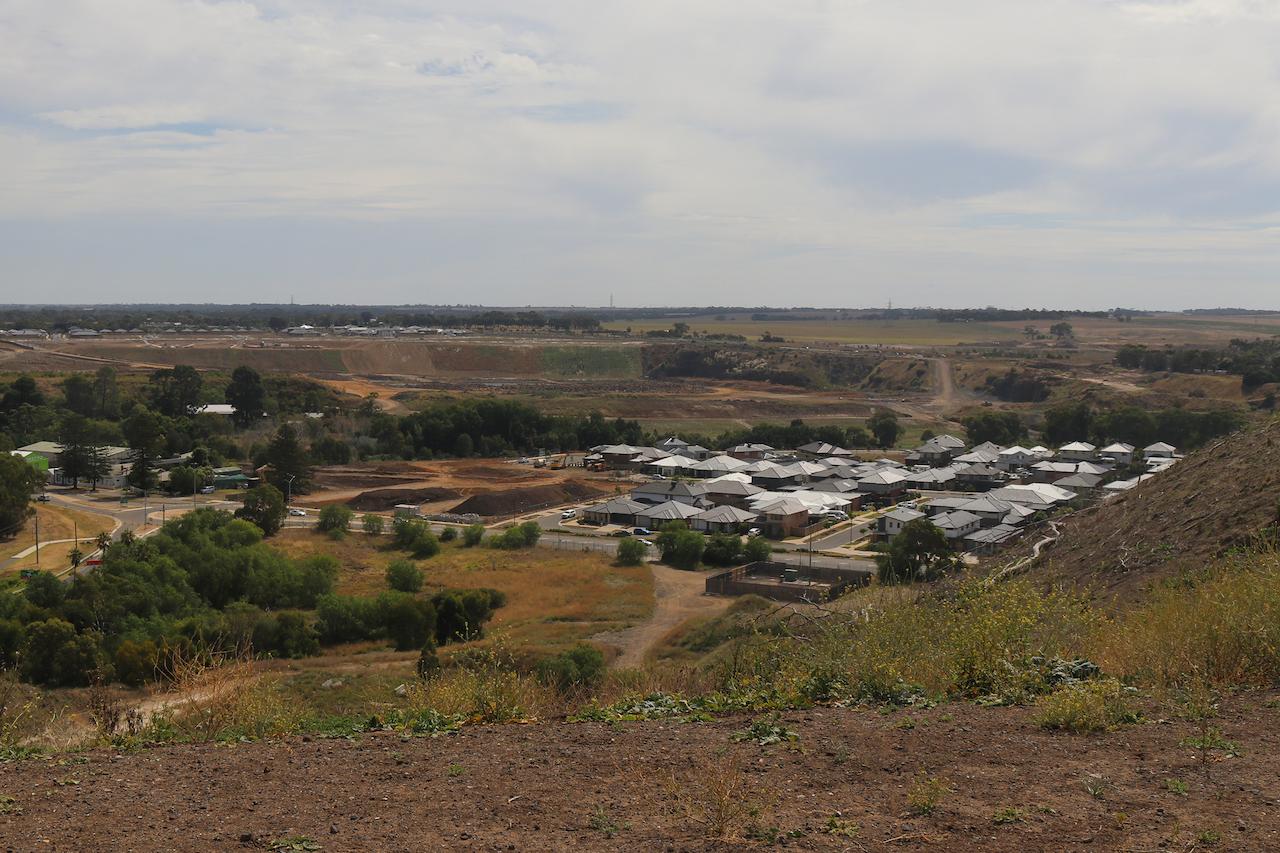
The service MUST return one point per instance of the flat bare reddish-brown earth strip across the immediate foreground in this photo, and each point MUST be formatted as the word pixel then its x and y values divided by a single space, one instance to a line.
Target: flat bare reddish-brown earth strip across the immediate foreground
pixel 656 786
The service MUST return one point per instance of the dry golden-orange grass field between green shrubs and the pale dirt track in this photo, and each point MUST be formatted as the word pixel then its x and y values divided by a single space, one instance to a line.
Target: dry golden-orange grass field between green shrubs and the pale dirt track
pixel 555 599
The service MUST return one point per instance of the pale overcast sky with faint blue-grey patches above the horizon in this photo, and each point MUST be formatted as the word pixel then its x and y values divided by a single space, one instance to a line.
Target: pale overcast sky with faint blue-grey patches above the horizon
pixel 843 153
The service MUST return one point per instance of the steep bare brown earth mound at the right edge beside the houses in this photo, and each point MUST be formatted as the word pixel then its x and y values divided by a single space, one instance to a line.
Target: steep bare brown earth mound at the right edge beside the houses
pixel 1217 499
